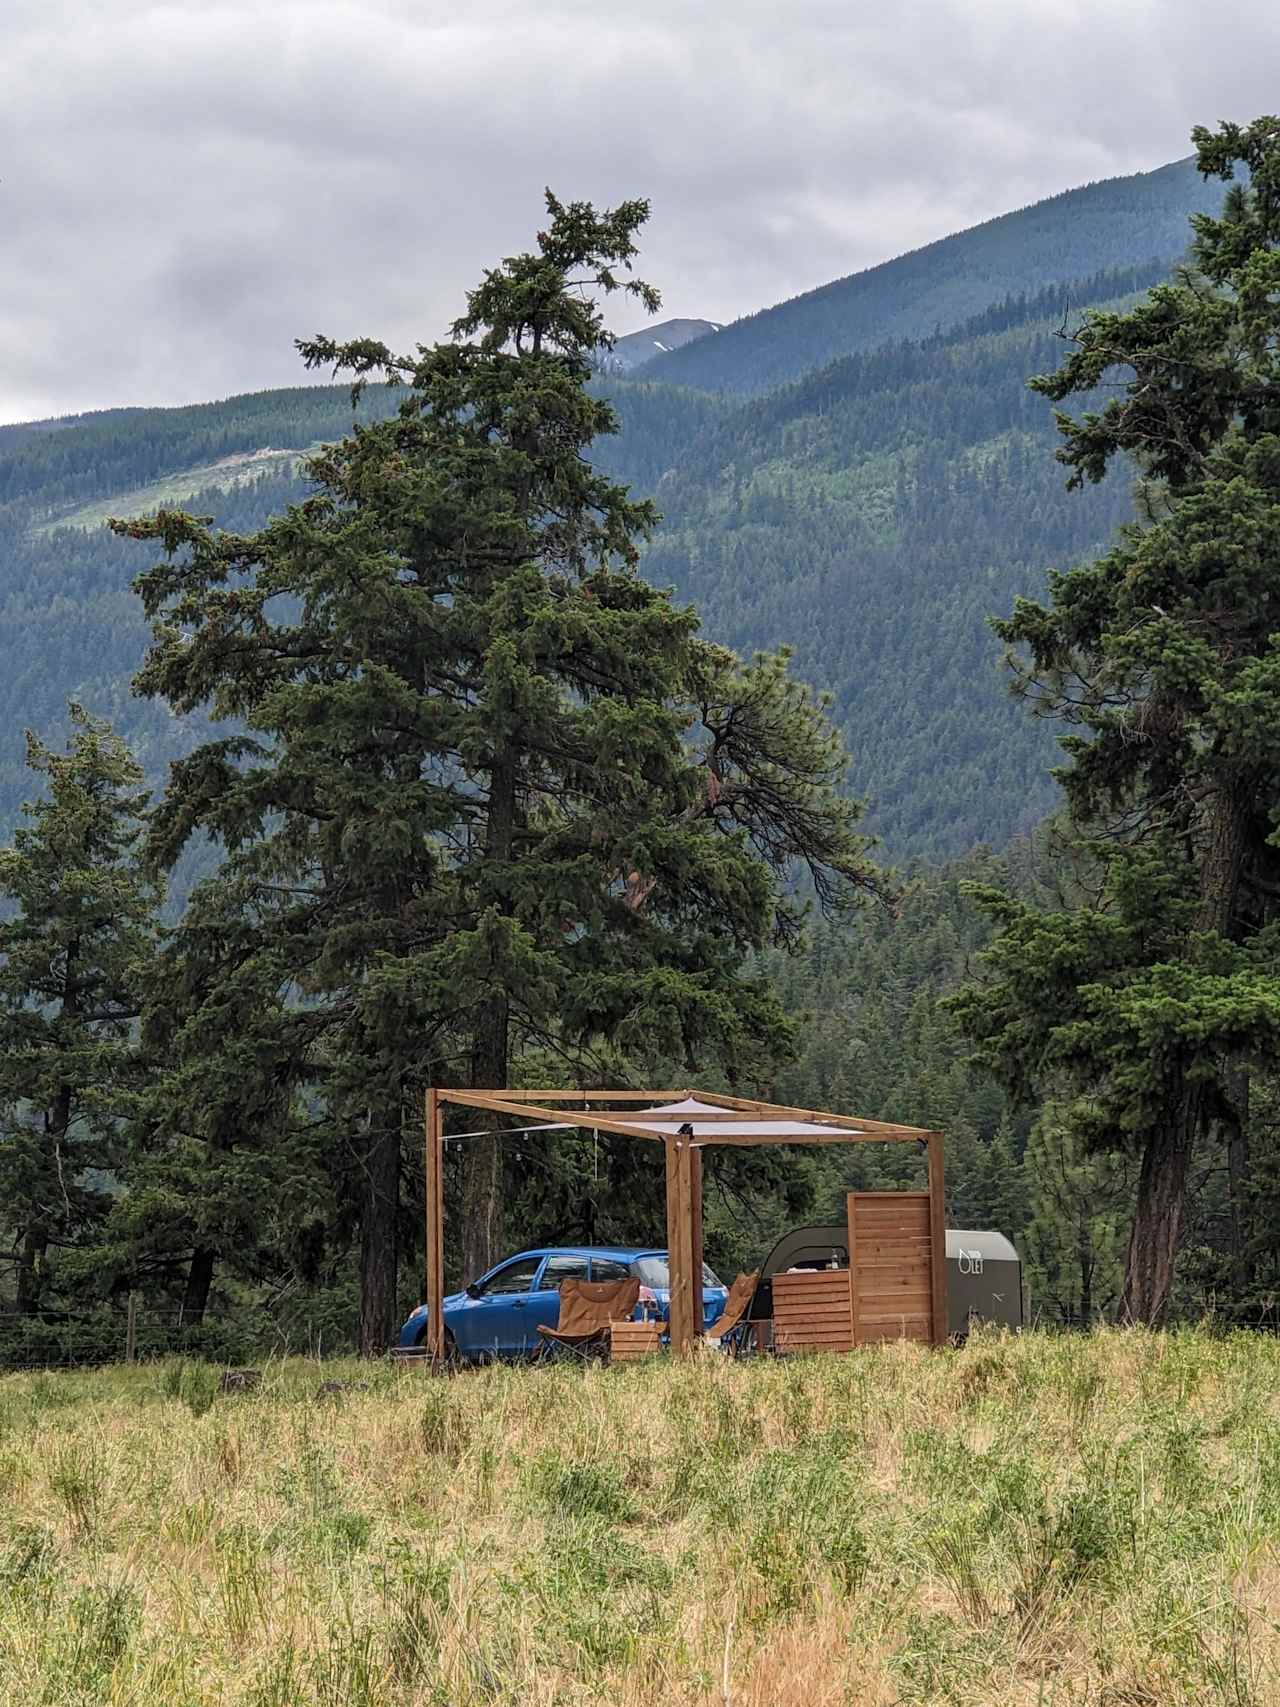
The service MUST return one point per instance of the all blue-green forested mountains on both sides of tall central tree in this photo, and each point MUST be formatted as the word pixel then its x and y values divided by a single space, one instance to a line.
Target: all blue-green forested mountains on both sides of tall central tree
pixel 871 515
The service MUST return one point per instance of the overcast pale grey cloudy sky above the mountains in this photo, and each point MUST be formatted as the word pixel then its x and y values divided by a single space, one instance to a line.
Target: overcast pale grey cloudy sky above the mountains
pixel 190 185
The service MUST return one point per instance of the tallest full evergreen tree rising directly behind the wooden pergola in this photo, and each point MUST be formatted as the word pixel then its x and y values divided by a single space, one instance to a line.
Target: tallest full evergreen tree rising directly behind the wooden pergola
pixel 496 793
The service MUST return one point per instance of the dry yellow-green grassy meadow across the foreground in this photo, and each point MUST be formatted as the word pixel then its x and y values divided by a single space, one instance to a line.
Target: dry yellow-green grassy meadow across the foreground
pixel 1035 1520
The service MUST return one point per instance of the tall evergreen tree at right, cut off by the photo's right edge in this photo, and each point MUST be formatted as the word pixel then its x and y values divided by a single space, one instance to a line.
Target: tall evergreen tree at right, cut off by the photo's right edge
pixel 1165 658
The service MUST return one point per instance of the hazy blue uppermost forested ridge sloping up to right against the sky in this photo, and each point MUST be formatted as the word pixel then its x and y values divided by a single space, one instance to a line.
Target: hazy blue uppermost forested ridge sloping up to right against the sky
pixel 1117 223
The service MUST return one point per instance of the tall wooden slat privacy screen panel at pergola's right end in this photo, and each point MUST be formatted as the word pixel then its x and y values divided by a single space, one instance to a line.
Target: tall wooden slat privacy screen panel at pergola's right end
pixel 892 1267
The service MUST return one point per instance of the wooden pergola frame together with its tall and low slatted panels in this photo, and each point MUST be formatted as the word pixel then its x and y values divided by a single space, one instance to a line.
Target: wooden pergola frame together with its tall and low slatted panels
pixel 895 1278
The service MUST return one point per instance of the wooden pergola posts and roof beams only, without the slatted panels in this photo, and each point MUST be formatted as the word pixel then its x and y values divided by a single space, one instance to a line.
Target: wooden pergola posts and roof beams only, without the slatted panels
pixel 685 1122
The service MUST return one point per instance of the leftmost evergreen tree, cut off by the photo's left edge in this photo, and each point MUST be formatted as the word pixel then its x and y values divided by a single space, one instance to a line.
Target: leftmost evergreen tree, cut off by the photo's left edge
pixel 74 953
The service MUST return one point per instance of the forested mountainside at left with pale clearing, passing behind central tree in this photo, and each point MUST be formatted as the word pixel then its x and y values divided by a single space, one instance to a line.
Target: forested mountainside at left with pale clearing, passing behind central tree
pixel 69 624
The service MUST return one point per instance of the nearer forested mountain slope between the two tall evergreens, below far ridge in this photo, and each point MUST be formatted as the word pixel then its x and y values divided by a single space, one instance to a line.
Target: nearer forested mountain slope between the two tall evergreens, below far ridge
pixel 875 516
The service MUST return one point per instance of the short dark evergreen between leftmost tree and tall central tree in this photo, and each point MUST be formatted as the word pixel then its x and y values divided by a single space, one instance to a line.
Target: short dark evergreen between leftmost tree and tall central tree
pixel 228 1162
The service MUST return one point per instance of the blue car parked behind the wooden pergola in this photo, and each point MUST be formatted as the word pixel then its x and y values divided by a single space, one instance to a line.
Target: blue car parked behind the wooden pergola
pixel 501 1314
